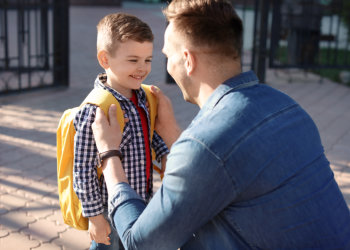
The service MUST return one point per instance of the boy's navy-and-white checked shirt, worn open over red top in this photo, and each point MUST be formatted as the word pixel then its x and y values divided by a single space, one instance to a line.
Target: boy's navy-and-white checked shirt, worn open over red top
pixel 93 192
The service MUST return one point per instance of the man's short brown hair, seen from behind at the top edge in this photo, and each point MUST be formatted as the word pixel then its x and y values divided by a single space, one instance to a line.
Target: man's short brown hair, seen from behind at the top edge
pixel 211 24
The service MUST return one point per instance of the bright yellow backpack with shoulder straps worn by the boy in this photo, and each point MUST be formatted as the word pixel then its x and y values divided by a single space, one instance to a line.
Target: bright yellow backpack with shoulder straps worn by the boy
pixel 70 204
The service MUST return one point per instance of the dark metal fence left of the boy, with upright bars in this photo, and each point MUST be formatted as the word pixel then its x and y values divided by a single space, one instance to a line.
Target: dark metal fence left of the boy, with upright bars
pixel 33 44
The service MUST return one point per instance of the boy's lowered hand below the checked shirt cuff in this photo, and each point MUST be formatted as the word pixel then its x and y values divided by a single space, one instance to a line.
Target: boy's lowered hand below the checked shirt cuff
pixel 99 229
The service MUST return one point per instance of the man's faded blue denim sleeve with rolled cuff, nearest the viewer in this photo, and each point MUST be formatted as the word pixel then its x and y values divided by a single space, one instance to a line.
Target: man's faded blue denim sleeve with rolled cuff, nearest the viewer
pixel 190 196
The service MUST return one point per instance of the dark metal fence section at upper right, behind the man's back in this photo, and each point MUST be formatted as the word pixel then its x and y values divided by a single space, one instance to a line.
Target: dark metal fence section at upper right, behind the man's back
pixel 310 34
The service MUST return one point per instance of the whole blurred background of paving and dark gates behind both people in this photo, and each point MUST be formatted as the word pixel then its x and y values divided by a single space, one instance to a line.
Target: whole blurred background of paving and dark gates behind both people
pixel 48 64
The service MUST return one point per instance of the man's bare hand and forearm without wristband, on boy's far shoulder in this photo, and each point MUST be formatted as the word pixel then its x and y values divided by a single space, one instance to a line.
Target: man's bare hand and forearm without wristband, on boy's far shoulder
pixel 166 125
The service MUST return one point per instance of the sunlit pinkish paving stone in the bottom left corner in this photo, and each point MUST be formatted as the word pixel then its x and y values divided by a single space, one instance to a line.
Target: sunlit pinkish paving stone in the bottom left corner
pixel 17 241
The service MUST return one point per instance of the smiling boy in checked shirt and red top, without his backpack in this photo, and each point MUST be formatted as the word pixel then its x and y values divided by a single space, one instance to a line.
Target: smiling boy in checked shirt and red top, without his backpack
pixel 124 50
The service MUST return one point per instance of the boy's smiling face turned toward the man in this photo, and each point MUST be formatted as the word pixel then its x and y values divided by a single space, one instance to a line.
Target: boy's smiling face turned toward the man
pixel 129 66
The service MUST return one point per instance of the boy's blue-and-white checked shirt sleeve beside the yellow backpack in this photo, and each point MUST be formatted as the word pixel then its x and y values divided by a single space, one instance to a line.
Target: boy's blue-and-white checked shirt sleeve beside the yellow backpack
pixel 85 180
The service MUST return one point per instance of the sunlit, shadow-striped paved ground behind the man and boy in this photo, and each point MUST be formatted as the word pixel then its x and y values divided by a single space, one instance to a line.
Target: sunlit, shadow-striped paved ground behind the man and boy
pixel 29 211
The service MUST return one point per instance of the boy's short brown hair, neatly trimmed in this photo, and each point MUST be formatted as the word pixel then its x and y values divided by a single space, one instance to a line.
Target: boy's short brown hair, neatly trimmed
pixel 120 27
